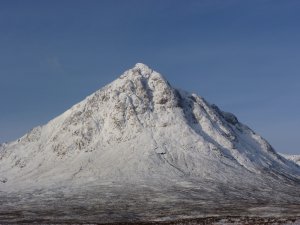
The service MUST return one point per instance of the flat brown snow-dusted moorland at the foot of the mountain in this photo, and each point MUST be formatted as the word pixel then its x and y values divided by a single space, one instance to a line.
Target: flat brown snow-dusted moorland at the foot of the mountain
pixel 116 205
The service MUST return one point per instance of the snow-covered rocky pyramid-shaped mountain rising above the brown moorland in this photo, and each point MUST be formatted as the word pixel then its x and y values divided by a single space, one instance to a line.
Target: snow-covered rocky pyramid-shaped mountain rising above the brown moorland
pixel 139 129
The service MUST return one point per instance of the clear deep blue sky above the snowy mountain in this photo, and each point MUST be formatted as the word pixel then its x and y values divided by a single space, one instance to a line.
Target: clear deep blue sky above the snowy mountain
pixel 242 55
